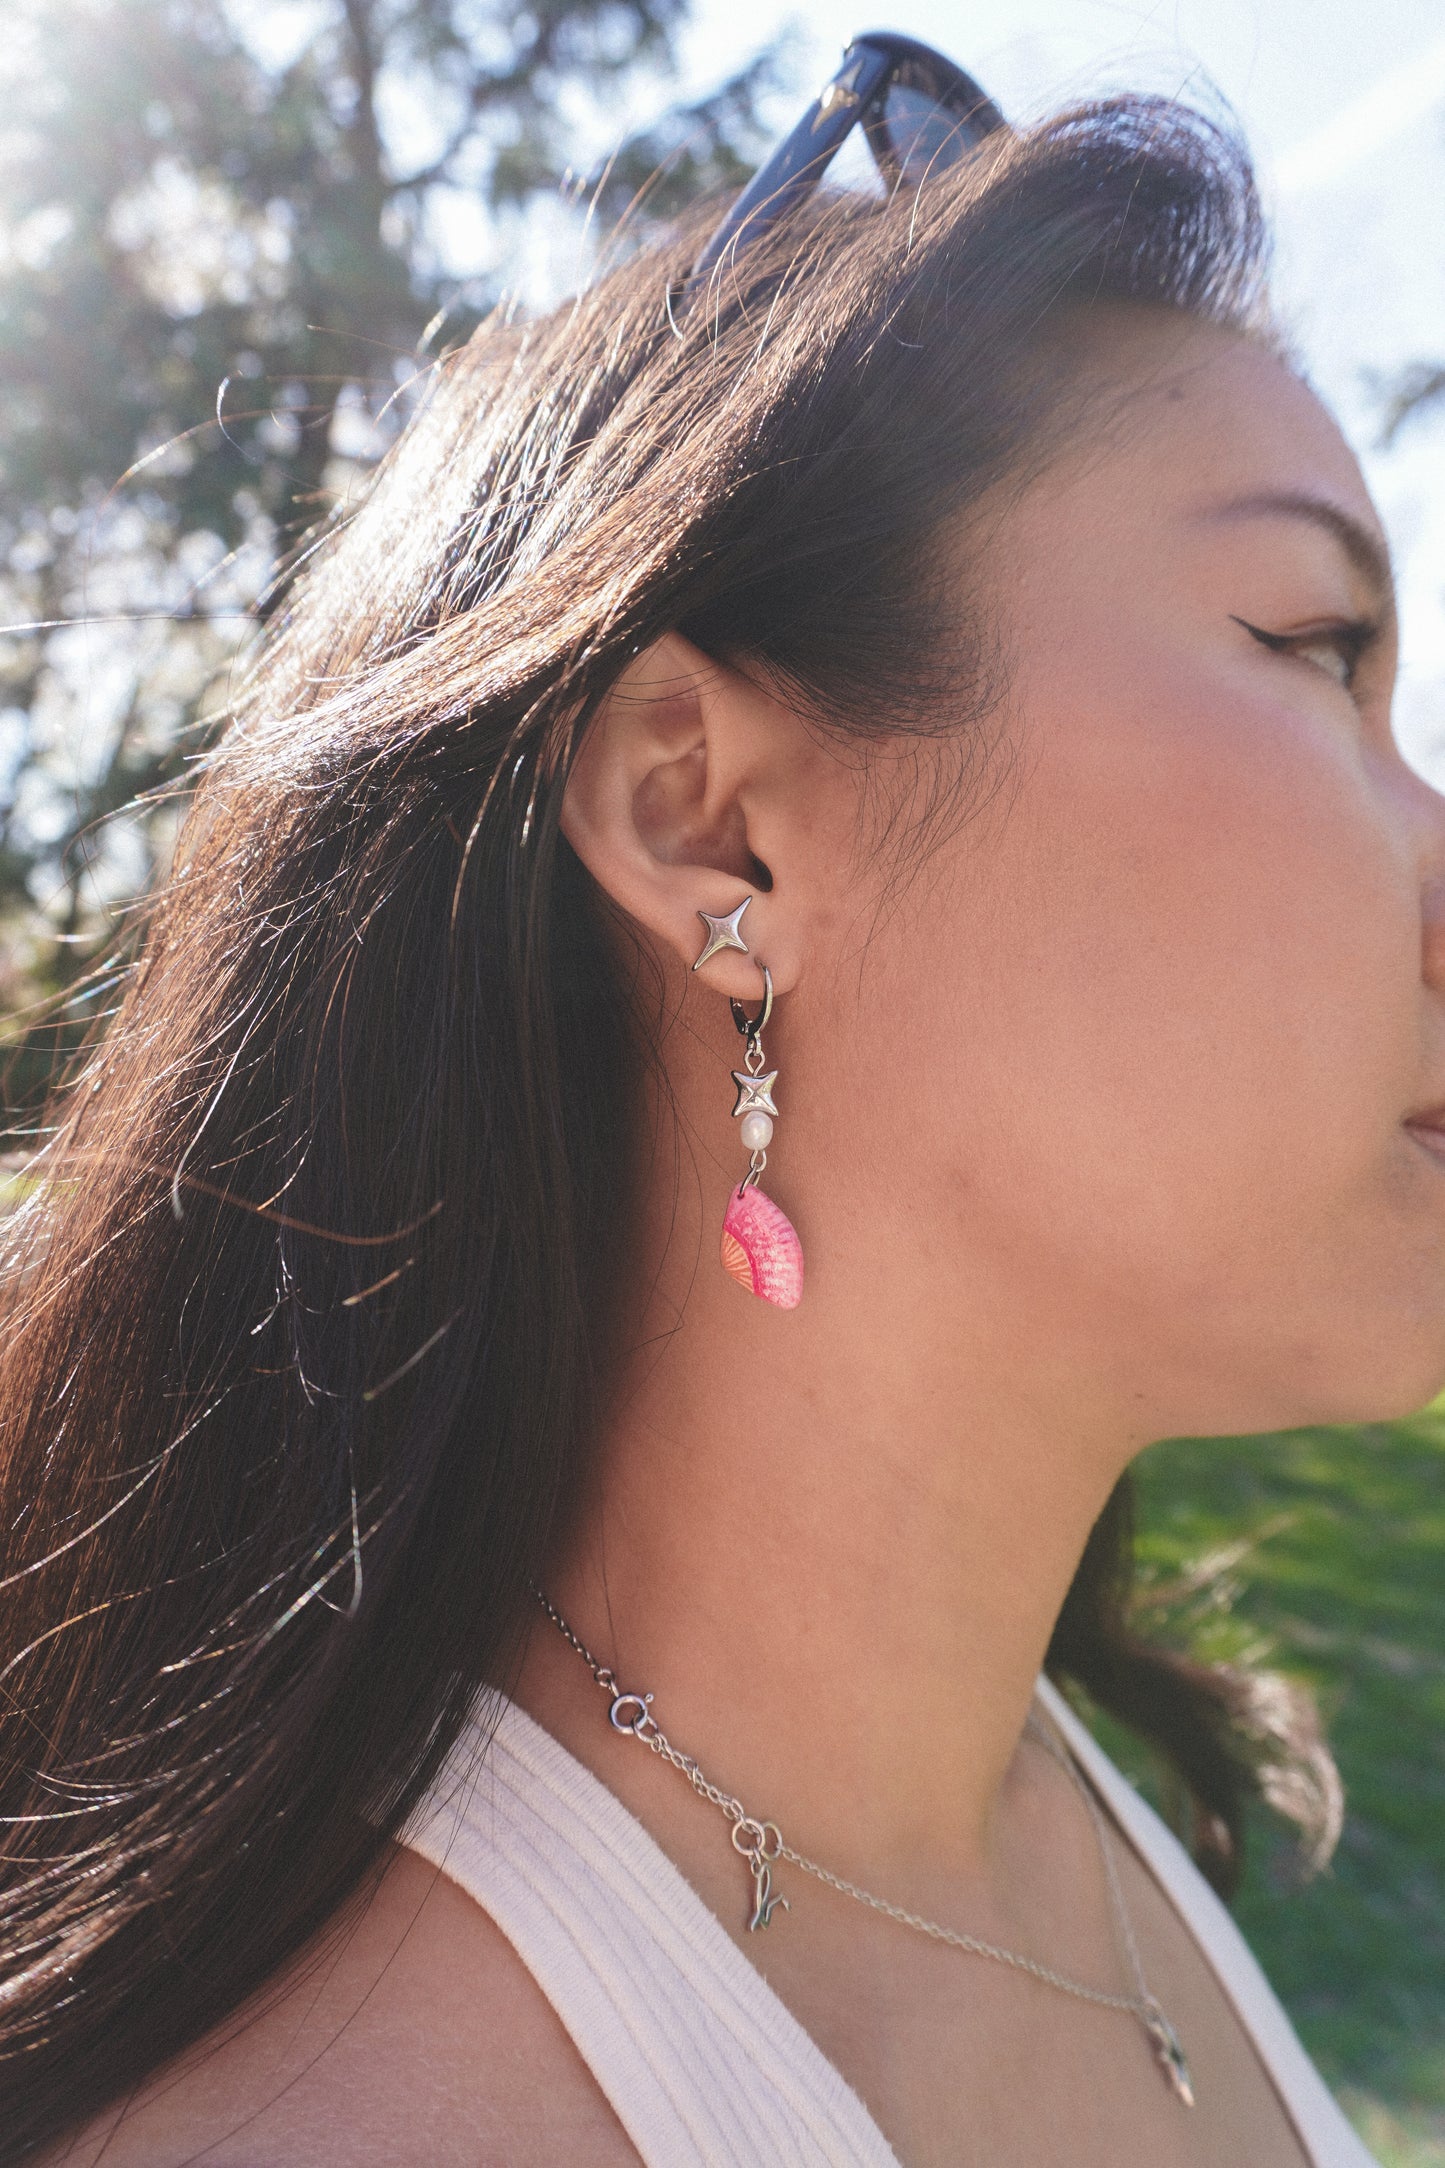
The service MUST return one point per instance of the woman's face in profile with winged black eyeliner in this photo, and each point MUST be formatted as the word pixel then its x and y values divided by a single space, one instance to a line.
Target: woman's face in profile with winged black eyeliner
pixel 1173 1003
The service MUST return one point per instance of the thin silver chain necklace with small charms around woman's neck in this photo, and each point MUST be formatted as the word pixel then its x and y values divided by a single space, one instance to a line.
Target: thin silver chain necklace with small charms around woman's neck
pixel 761 1846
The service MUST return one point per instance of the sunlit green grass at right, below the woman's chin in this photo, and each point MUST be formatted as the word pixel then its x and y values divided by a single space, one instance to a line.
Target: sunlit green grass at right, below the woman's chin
pixel 1344 1586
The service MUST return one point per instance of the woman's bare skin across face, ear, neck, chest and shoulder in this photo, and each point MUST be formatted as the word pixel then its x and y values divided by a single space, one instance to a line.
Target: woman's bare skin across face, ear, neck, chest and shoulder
pixel 1099 1126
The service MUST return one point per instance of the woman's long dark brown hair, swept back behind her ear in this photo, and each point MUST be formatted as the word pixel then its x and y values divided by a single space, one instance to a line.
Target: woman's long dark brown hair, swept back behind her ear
pixel 300 1341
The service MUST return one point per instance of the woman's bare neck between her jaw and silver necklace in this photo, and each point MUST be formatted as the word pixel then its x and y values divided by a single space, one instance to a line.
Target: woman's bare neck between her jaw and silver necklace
pixel 835 1556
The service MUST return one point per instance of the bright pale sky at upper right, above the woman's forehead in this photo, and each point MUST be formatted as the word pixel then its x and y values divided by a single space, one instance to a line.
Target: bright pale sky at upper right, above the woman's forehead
pixel 1344 105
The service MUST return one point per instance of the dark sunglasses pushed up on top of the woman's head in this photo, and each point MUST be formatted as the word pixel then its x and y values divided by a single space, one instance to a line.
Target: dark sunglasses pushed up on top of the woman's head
pixel 917 112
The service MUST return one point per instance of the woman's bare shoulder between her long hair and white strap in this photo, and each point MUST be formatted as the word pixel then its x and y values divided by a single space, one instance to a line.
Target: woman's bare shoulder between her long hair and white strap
pixel 411 2039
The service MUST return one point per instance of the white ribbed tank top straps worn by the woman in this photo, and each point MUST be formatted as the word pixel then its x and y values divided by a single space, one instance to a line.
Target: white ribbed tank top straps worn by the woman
pixel 701 2061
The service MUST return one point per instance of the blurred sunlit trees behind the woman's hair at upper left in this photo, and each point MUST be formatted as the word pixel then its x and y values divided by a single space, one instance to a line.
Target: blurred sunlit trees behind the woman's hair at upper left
pixel 226 242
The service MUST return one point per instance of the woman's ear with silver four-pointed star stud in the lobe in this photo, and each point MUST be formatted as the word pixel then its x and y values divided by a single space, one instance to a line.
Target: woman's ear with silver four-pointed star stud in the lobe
pixel 694 790
